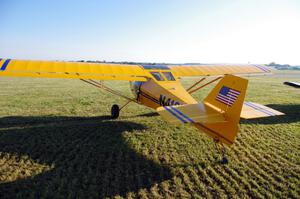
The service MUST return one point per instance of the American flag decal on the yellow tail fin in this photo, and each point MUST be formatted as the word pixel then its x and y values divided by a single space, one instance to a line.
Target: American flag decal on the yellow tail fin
pixel 227 95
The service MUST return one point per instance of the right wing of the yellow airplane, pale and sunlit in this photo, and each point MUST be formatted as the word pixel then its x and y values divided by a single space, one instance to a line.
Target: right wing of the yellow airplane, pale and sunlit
pixel 216 69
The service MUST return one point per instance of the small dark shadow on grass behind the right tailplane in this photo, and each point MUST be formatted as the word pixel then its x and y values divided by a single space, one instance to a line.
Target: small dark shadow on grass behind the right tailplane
pixel 291 112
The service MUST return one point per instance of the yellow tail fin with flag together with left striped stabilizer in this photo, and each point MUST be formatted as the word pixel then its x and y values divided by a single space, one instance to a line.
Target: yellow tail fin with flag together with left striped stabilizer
pixel 219 114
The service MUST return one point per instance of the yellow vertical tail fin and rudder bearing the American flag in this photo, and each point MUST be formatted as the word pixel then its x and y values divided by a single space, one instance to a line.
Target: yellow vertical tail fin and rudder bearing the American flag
pixel 227 98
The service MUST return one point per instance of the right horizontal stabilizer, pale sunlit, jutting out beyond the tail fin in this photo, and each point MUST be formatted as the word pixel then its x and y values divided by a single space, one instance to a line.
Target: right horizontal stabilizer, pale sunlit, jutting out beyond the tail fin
pixel 253 110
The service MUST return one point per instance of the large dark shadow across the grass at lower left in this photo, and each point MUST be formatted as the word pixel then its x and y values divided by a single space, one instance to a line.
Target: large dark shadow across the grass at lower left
pixel 91 158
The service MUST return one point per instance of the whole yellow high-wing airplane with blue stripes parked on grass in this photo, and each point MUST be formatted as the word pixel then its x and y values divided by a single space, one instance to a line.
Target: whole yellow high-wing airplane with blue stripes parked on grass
pixel 159 87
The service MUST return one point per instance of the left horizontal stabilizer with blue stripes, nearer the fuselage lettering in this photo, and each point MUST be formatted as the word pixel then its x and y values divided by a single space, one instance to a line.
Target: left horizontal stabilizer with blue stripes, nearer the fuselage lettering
pixel 190 113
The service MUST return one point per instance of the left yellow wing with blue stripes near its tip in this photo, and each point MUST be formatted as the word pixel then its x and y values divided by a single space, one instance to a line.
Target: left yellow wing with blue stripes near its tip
pixel 77 70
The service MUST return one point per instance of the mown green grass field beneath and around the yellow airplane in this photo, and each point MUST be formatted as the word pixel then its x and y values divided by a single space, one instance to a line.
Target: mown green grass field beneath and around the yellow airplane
pixel 57 141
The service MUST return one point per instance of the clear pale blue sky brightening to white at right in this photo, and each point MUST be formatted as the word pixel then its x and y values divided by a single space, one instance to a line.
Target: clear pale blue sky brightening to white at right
pixel 170 31
